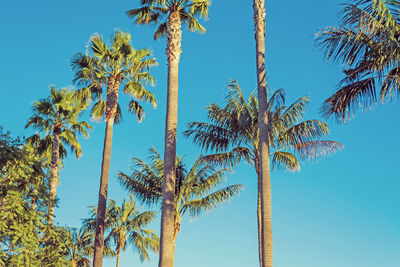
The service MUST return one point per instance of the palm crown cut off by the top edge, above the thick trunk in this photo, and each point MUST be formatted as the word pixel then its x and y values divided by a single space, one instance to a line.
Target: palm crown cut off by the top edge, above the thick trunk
pixel 157 12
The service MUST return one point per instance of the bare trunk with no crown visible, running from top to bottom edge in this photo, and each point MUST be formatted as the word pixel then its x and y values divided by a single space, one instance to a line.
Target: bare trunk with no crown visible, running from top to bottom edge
pixel 265 178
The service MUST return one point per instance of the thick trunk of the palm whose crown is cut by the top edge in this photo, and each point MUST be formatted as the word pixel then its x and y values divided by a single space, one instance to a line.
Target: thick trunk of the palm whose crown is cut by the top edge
pixel 174 37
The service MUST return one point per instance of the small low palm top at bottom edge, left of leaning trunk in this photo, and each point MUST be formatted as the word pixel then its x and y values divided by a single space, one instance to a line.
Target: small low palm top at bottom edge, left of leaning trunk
pixel 79 246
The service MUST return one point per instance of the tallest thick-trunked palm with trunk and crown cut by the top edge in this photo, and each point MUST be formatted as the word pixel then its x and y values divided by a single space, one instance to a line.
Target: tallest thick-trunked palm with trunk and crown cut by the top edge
pixel 169 15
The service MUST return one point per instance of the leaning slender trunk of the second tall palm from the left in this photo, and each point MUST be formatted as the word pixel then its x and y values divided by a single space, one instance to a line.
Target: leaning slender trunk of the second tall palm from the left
pixel 112 100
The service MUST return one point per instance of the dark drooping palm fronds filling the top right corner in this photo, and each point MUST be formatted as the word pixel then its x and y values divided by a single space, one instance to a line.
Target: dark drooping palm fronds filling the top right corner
pixel 367 43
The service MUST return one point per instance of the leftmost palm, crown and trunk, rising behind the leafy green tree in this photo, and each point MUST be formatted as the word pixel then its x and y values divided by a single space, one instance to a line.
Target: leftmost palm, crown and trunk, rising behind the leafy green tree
pixel 57 118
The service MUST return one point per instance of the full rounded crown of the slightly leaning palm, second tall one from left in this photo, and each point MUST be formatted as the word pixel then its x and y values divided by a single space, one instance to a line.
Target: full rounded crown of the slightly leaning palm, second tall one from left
pixel 120 63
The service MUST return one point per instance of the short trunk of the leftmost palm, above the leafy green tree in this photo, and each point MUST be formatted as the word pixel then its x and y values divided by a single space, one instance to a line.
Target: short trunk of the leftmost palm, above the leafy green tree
pixel 54 173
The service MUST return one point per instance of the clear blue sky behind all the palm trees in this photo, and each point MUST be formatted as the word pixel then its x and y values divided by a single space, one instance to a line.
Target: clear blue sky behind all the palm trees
pixel 341 211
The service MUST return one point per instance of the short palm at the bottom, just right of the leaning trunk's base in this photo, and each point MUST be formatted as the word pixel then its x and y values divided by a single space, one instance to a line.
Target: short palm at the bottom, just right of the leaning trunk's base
pixel 125 225
